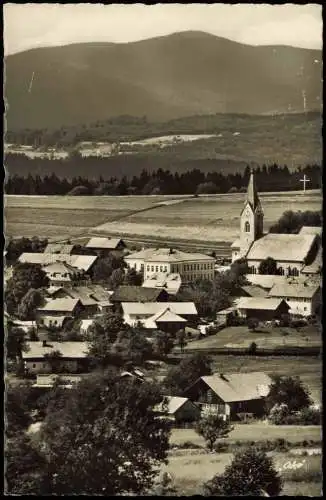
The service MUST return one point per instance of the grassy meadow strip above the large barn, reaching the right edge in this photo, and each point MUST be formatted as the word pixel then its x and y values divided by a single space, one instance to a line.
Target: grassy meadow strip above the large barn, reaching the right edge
pixel 240 336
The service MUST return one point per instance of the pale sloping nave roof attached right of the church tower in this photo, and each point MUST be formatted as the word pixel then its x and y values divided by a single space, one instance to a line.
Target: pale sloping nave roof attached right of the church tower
pixel 281 247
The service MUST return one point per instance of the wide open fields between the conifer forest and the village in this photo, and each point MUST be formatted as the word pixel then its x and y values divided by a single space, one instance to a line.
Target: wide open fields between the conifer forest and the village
pixel 213 218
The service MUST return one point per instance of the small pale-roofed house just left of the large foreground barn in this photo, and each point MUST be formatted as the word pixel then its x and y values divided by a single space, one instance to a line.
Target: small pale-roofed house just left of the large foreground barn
pixel 179 410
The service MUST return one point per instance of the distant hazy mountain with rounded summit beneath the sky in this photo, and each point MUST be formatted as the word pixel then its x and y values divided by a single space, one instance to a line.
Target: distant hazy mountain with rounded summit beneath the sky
pixel 163 78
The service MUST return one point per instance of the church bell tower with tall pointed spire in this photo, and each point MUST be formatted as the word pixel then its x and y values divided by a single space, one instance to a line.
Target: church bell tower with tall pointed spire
pixel 251 217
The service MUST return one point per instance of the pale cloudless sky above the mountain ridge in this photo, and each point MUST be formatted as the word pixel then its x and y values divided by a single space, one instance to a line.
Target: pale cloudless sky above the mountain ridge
pixel 41 25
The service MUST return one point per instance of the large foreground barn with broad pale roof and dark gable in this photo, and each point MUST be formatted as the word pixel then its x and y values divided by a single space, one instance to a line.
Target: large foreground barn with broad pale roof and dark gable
pixel 231 394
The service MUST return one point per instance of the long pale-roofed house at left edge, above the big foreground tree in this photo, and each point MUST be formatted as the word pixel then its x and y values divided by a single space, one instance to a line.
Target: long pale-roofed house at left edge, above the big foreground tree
pixel 37 358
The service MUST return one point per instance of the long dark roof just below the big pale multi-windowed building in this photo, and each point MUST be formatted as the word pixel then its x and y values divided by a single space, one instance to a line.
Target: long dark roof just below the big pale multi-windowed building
pixel 126 293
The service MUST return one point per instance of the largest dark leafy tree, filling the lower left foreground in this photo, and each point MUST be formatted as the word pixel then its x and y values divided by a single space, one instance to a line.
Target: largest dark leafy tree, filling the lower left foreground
pixel 107 439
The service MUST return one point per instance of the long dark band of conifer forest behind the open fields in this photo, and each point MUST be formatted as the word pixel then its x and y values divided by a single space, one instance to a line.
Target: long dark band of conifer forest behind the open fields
pixel 268 178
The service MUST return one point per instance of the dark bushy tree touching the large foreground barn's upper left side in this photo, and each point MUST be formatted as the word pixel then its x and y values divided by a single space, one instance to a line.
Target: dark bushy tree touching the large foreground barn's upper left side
pixel 189 370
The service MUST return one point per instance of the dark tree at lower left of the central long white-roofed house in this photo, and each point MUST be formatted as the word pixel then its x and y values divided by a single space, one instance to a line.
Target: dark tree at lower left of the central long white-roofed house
pixel 101 336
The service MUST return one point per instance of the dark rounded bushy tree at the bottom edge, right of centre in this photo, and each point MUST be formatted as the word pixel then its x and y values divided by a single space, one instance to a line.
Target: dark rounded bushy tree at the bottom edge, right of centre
pixel 251 473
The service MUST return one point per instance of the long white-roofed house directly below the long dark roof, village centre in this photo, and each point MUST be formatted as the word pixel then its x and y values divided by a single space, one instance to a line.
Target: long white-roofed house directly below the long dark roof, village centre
pixel 134 312
